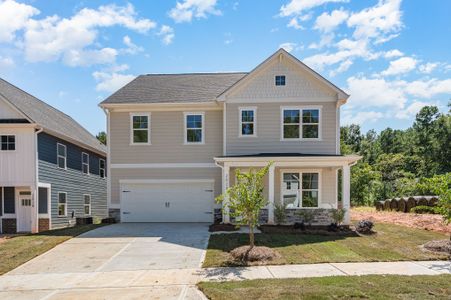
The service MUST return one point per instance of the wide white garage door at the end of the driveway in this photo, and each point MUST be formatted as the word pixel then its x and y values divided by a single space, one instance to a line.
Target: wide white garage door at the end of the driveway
pixel 175 201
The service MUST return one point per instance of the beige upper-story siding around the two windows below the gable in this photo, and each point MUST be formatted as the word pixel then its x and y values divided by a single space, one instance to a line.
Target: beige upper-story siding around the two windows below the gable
pixel 268 128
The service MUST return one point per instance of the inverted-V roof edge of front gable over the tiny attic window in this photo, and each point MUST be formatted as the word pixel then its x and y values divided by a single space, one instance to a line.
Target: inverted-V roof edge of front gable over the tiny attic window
pixel 283 53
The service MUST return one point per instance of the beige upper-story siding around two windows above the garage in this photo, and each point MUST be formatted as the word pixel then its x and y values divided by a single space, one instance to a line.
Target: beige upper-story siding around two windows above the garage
pixel 167 139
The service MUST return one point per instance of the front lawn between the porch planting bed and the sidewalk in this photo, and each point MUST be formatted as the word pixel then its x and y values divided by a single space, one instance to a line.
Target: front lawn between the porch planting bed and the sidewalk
pixel 391 243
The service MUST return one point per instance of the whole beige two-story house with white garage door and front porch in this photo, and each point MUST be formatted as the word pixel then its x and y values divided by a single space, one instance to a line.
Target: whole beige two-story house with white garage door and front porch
pixel 176 140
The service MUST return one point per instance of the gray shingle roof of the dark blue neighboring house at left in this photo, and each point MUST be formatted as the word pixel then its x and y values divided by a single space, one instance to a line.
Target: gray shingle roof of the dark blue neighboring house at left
pixel 48 117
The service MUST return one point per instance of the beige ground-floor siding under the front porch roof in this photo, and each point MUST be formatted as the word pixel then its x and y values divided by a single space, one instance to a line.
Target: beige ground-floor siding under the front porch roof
pixel 328 184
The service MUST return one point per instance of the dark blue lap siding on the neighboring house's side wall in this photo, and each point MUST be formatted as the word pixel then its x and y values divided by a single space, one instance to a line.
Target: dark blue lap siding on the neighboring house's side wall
pixel 72 181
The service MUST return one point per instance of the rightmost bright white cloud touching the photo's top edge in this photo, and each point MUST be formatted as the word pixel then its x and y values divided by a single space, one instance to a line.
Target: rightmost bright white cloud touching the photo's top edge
pixel 377 21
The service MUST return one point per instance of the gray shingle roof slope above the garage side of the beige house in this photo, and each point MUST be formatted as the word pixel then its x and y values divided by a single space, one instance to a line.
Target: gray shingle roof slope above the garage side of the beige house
pixel 174 88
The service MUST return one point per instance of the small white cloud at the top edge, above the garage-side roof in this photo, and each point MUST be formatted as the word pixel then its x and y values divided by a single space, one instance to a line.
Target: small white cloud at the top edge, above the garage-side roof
pixel 188 9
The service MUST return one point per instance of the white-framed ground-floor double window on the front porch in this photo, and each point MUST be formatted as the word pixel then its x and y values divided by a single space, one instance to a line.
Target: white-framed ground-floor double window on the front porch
pixel 300 190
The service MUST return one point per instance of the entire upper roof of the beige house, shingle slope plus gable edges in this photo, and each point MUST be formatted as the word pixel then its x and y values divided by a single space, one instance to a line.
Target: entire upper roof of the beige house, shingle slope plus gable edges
pixel 198 87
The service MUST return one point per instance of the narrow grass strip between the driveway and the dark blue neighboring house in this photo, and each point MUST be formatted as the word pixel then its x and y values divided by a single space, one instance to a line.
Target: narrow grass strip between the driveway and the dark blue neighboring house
pixel 21 248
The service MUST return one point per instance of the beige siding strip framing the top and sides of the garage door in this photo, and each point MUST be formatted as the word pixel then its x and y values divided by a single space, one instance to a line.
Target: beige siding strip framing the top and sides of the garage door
pixel 182 173
